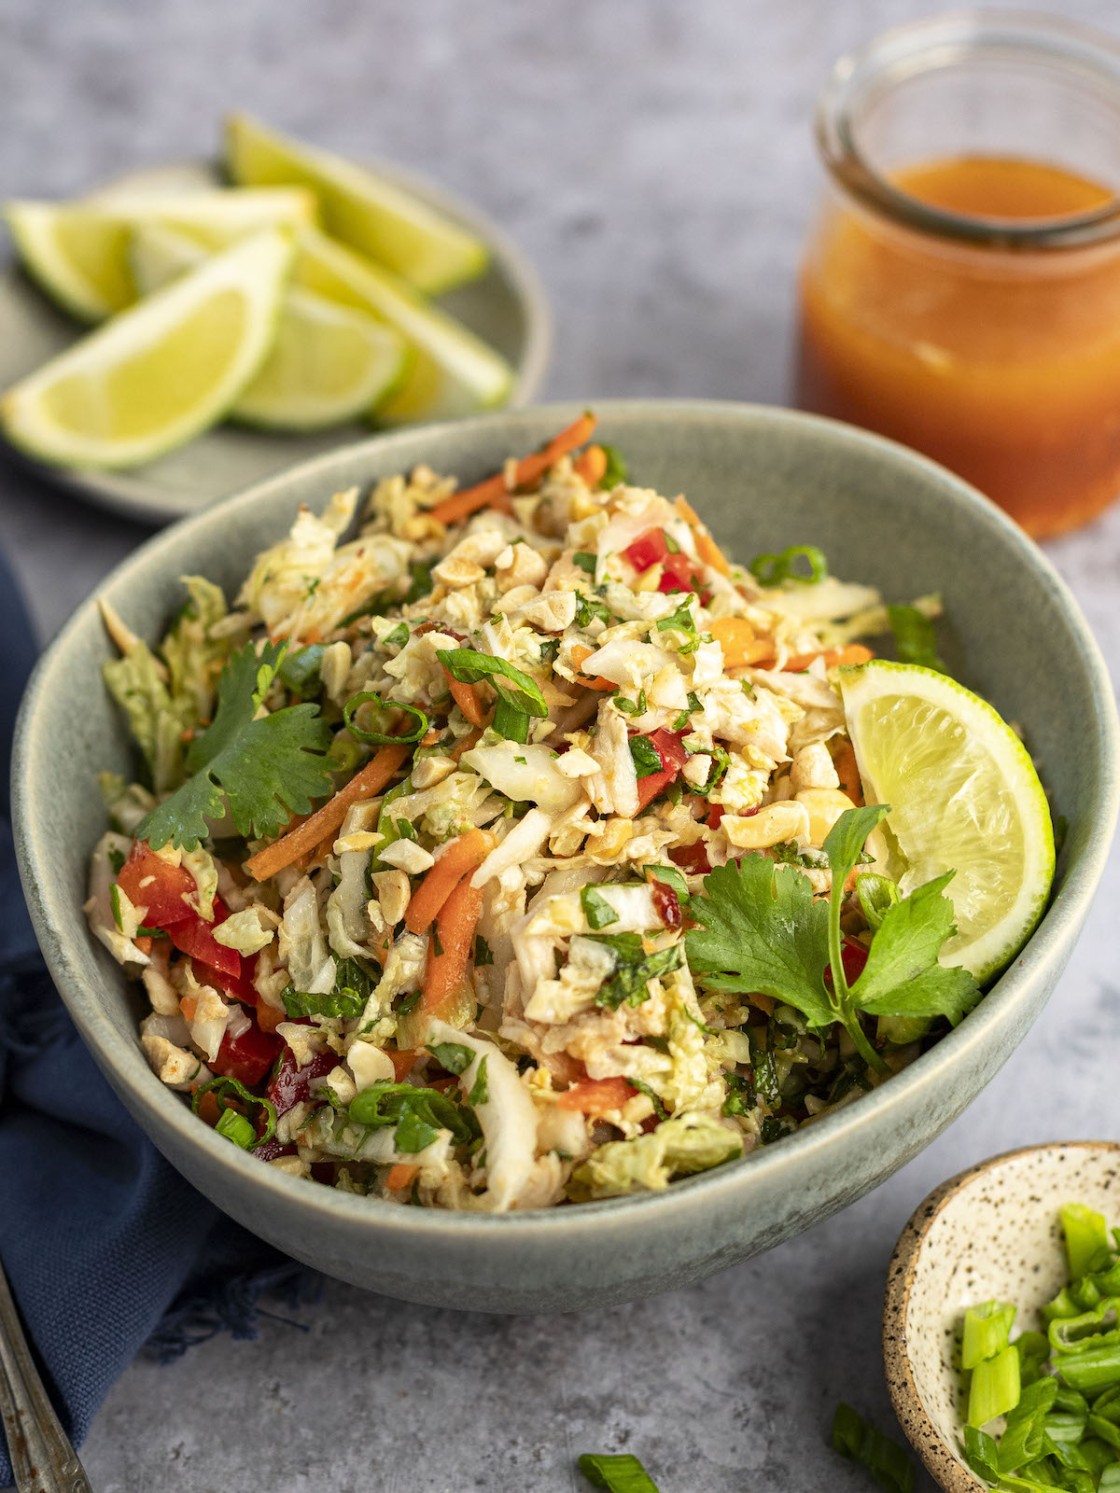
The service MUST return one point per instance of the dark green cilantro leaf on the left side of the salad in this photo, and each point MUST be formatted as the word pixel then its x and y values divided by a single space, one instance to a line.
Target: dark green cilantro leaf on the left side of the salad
pixel 267 770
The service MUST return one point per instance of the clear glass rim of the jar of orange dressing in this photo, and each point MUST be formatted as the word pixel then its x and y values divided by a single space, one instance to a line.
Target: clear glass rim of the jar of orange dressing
pixel 940 43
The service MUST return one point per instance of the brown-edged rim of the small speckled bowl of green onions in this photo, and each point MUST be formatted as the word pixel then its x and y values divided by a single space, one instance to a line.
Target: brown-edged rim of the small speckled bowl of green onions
pixel 942 1461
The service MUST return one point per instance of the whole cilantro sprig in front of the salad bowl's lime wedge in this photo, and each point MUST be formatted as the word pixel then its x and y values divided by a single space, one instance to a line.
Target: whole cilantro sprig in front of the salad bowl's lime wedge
pixel 764 932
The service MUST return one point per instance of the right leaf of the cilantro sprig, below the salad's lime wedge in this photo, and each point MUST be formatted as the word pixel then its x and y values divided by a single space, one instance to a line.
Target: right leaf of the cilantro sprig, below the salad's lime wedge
pixel 903 976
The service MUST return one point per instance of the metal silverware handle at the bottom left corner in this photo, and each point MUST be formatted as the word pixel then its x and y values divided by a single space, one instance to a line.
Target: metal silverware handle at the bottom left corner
pixel 43 1458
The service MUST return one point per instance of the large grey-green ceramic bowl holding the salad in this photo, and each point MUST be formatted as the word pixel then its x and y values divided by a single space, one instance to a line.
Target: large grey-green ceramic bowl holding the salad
pixel 764 479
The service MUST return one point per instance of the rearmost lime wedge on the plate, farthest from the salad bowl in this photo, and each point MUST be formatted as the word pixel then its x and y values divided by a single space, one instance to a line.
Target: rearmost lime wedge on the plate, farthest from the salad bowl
pixel 370 214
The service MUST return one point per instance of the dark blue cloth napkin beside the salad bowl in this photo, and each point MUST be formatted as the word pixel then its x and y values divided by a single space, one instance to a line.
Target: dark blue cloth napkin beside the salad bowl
pixel 107 1249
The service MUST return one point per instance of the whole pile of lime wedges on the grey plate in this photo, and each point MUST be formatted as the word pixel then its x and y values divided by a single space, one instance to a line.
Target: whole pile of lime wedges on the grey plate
pixel 322 329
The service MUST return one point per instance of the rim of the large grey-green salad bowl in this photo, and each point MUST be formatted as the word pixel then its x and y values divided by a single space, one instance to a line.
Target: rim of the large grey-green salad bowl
pixel 1043 956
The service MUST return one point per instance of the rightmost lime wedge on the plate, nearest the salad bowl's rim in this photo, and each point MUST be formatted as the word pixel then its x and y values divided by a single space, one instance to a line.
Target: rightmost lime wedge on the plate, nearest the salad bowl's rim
pixel 453 373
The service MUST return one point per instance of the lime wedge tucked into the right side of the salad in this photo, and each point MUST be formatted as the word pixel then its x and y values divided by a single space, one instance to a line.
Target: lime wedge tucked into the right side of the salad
pixel 964 795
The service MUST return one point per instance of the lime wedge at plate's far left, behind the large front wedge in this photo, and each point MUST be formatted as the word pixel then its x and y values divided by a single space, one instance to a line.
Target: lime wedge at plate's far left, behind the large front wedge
pixel 78 252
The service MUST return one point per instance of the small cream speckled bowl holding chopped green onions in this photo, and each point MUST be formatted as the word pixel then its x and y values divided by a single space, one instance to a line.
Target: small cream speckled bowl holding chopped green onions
pixel 989 1234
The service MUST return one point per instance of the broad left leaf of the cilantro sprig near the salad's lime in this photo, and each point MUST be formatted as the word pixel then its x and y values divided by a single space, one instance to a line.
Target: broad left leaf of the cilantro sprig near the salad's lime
pixel 762 934
